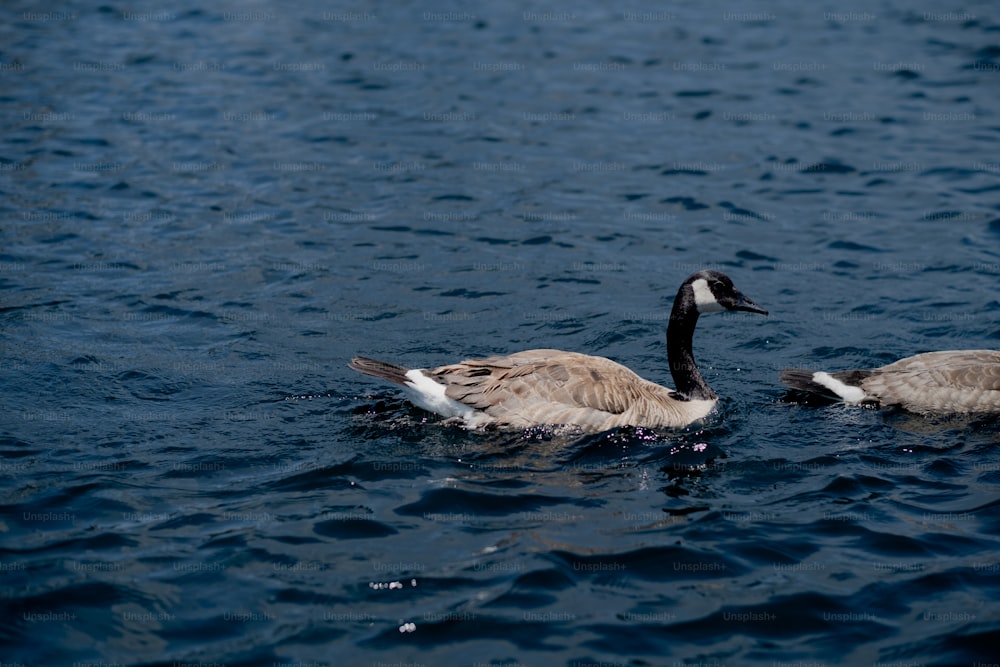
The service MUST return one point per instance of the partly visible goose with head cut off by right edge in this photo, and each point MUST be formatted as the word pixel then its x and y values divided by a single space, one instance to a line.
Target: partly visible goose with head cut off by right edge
pixel 953 381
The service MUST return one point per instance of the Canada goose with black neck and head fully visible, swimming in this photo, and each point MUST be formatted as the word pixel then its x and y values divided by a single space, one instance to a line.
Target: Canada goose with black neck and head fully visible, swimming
pixel 539 387
